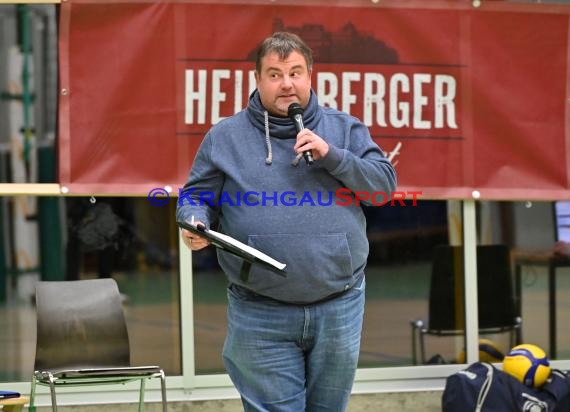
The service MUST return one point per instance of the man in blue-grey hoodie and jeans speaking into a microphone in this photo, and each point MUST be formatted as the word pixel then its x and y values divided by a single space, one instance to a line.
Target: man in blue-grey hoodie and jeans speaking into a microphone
pixel 292 342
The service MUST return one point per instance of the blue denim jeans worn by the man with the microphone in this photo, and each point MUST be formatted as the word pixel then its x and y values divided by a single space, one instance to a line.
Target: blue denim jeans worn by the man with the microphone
pixel 293 358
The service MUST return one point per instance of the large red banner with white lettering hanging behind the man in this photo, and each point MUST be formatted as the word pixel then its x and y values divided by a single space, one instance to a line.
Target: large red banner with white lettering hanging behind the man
pixel 463 99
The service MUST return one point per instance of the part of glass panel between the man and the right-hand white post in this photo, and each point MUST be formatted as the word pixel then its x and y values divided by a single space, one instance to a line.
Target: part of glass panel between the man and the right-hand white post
pixel 403 240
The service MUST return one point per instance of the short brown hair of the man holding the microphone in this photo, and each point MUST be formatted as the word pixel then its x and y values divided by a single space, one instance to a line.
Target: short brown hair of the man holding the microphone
pixel 283 43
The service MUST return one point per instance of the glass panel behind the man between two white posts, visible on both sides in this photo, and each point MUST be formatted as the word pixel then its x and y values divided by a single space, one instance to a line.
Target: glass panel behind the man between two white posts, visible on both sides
pixel 402 241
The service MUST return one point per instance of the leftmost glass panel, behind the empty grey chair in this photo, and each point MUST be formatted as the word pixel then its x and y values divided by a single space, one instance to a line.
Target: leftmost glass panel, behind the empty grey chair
pixel 123 238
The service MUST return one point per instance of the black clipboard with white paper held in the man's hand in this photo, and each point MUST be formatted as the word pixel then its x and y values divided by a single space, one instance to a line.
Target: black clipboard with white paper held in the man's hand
pixel 228 244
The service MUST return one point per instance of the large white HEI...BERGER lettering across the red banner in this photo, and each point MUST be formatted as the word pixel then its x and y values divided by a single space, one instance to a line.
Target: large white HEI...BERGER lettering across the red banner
pixel 419 101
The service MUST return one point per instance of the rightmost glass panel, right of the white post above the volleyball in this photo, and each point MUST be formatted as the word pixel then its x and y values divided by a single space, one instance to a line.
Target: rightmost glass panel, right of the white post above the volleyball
pixel 540 267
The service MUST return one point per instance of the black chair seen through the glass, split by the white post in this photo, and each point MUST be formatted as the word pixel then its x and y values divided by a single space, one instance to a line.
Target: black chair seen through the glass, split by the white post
pixel 496 301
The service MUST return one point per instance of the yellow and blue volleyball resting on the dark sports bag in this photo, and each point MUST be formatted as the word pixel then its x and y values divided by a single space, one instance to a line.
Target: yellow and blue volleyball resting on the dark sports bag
pixel 528 364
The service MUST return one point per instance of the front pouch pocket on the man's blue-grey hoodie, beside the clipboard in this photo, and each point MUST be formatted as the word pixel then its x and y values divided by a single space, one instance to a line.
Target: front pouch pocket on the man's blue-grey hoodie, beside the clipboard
pixel 324 258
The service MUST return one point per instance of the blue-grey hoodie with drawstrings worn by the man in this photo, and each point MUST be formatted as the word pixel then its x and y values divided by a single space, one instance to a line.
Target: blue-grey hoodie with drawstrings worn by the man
pixel 243 176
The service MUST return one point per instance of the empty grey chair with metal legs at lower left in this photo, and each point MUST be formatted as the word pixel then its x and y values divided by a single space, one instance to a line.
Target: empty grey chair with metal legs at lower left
pixel 82 339
